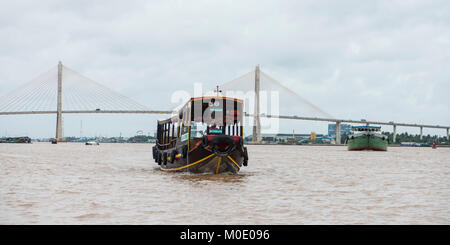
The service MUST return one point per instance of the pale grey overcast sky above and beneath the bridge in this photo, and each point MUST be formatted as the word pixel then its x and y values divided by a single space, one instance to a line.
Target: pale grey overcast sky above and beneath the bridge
pixel 379 60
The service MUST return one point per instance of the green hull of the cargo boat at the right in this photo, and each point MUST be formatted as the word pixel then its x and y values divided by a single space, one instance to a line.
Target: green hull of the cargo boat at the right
pixel 367 142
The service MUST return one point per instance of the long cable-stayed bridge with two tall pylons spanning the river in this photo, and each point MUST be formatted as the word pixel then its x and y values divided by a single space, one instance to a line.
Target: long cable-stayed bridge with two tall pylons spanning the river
pixel 62 90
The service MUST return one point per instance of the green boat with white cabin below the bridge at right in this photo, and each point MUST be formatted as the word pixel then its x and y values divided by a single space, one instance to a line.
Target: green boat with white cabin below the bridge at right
pixel 367 138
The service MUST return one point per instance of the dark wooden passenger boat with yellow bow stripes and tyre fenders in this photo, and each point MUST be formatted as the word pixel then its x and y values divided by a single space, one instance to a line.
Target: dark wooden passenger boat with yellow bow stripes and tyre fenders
pixel 204 136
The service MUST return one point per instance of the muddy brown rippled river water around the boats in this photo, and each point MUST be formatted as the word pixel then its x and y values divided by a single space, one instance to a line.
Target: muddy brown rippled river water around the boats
pixel 71 183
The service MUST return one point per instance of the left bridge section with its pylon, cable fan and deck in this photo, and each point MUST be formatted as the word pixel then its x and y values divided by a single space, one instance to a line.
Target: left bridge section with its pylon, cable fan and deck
pixel 71 92
